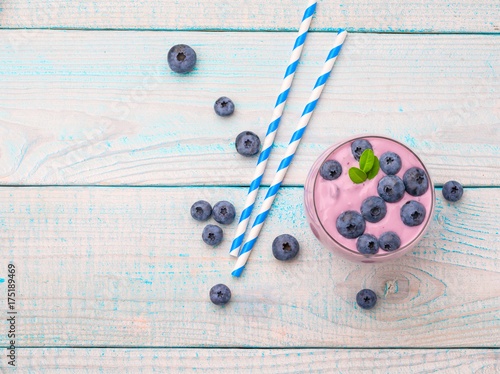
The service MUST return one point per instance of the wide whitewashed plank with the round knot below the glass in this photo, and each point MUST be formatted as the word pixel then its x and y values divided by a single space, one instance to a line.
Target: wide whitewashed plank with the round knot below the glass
pixel 126 267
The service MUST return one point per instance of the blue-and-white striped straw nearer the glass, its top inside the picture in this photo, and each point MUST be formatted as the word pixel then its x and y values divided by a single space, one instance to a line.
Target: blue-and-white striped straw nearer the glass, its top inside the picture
pixel 290 152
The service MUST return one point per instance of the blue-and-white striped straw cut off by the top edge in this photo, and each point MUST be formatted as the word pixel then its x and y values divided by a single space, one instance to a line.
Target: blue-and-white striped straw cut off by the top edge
pixel 272 129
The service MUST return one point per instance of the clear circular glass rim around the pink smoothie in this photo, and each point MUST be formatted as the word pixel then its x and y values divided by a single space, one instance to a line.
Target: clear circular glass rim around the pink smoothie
pixel 428 218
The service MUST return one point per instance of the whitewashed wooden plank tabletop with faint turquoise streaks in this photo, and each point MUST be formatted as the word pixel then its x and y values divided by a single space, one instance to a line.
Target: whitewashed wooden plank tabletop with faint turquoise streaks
pixel 103 150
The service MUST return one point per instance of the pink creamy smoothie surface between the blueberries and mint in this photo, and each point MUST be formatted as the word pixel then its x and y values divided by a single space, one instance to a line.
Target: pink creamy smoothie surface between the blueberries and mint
pixel 334 197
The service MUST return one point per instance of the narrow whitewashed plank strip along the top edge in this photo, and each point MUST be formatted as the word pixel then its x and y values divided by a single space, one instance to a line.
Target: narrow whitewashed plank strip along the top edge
pixel 359 15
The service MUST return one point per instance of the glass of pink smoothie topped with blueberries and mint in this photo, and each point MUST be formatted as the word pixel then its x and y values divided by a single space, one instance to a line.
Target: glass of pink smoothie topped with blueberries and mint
pixel 371 215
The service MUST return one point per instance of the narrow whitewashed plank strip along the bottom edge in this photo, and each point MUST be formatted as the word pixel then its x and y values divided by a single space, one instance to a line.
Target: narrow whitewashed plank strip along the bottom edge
pixel 275 361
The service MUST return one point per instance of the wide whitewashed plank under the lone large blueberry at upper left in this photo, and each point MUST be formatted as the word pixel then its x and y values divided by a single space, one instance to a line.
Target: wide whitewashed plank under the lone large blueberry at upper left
pixel 80 108
